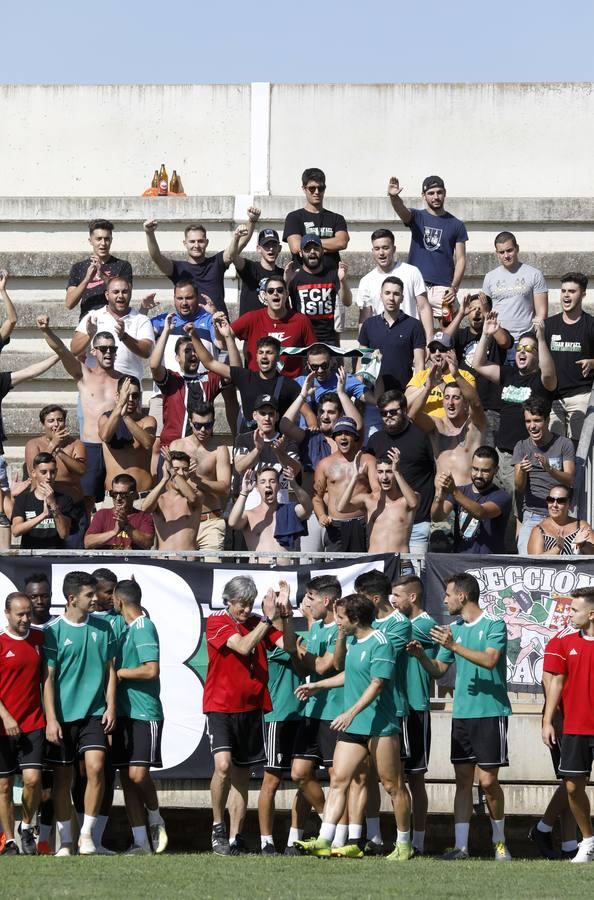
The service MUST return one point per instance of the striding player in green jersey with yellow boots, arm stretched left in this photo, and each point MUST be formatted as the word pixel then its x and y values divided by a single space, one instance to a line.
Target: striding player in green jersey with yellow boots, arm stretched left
pixel 367 728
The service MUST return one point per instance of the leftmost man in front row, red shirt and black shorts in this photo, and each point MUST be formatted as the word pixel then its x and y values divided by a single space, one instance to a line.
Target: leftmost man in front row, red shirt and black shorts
pixel 22 723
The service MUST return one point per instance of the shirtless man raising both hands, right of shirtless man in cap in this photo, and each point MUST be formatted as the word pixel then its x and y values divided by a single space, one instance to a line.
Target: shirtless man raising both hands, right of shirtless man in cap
pixel 391 512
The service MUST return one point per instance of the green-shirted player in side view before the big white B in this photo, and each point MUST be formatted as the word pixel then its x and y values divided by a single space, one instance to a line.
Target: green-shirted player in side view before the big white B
pixel 137 738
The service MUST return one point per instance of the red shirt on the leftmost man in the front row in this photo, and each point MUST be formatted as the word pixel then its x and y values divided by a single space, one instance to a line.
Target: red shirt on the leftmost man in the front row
pixel 20 679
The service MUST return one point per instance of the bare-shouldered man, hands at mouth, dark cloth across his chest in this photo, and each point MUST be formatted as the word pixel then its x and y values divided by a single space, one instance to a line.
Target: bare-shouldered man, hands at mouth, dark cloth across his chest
pixel 128 436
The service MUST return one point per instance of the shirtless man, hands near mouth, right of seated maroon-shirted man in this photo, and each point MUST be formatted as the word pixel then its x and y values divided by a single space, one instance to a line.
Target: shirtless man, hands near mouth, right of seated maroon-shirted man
pixel 176 504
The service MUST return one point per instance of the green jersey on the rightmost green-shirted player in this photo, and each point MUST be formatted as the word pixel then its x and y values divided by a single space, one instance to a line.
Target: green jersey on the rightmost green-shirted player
pixel 479 692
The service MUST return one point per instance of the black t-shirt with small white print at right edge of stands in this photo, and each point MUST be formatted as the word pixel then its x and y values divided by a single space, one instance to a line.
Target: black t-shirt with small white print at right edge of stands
pixel 567 344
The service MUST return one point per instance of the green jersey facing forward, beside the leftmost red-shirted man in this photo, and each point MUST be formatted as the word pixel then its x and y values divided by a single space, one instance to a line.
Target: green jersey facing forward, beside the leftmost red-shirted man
pixel 78 654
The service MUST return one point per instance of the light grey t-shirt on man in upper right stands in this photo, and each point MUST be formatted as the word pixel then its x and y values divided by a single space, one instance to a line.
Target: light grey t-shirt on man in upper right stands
pixel 512 294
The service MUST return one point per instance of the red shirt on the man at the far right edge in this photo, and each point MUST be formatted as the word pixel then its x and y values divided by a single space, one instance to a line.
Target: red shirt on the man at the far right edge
pixel 572 655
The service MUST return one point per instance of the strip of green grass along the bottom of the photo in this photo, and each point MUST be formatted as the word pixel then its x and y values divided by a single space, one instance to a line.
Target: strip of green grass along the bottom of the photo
pixel 206 876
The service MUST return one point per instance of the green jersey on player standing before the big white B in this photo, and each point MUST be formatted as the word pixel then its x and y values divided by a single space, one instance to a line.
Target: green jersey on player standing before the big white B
pixel 137 698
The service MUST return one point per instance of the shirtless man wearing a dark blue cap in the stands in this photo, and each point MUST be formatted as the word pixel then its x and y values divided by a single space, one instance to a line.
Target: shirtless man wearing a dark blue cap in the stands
pixel 345 530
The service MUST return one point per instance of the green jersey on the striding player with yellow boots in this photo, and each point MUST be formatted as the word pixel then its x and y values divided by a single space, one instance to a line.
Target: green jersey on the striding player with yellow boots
pixel 371 657
